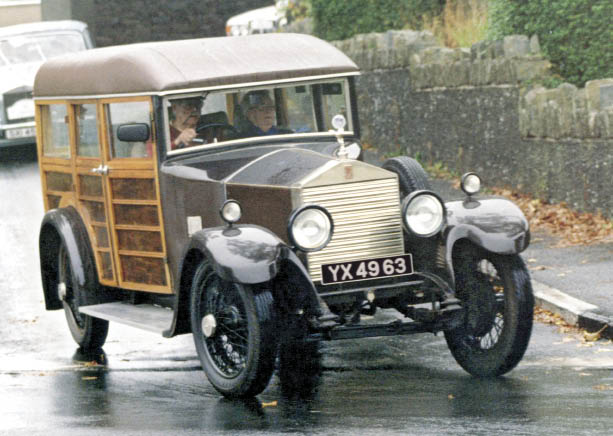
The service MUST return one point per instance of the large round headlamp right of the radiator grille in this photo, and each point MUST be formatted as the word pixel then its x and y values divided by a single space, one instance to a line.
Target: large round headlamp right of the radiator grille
pixel 423 213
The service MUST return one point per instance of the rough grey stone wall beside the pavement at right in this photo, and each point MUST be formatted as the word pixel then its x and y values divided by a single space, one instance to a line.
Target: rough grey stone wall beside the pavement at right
pixel 483 109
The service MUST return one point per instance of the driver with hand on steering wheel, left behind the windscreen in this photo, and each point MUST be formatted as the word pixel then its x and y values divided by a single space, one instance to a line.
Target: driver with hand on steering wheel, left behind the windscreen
pixel 184 115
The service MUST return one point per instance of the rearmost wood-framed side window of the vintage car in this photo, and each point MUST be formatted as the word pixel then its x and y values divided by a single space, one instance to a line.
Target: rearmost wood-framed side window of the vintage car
pixel 56 142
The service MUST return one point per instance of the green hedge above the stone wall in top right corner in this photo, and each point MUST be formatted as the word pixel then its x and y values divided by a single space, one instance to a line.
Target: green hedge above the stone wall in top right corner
pixel 575 35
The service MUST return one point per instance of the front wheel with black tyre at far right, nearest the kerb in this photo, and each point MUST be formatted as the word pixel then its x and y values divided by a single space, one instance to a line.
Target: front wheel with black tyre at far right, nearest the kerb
pixel 497 295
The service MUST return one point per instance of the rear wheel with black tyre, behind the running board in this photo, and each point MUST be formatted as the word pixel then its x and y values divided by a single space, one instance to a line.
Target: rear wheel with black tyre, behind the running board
pixel 88 332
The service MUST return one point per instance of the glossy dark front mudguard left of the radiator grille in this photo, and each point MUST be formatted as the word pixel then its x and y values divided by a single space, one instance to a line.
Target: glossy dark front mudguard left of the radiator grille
pixel 247 254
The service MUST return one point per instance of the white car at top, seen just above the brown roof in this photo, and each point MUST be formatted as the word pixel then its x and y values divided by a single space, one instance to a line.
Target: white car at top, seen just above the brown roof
pixel 262 20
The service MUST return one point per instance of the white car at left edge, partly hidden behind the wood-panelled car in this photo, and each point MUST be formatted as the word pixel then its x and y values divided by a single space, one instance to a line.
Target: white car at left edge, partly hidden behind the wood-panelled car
pixel 23 48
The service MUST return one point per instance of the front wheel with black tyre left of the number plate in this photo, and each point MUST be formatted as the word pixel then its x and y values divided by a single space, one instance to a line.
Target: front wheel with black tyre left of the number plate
pixel 234 333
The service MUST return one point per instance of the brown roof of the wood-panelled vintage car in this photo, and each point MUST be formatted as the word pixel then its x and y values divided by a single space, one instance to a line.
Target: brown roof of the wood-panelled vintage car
pixel 196 63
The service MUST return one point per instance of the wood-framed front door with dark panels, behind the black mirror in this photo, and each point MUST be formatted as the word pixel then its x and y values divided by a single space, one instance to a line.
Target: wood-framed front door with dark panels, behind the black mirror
pixel 133 199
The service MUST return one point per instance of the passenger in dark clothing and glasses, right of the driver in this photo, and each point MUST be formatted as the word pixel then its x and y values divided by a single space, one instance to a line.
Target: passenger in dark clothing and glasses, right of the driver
pixel 259 109
